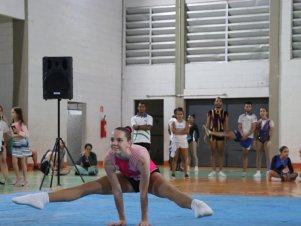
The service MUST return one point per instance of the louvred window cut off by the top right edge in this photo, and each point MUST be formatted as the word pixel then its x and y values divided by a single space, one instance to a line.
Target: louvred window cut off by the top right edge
pixel 296 29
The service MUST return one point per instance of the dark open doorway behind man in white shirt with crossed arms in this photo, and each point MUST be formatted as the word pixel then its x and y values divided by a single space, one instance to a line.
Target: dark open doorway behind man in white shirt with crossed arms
pixel 155 109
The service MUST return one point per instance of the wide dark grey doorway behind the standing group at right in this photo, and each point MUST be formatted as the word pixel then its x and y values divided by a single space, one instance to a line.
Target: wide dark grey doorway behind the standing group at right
pixel 232 150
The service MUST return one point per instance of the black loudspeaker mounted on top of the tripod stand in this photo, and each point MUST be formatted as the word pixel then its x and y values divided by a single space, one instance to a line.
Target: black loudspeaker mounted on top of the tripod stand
pixel 57 78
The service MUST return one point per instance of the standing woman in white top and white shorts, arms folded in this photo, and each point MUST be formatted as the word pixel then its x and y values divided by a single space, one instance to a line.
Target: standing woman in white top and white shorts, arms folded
pixel 180 129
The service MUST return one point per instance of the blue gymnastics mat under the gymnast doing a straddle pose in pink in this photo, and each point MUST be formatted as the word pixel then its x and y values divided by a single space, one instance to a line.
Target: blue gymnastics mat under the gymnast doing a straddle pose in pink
pixel 100 210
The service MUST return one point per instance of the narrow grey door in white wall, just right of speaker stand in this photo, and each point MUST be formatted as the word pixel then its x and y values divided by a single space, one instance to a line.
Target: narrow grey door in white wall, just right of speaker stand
pixel 75 129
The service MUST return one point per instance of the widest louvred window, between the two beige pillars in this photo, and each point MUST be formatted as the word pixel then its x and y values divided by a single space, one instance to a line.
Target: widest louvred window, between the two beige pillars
pixel 227 31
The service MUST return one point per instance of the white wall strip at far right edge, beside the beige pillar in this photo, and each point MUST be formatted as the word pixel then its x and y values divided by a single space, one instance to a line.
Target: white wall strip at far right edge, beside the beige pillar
pixel 290 92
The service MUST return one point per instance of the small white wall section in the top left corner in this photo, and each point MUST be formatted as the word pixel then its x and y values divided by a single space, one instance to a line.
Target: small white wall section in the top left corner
pixel 12 8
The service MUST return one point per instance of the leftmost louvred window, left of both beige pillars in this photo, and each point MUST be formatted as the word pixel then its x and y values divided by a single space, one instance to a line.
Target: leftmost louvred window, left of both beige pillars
pixel 150 35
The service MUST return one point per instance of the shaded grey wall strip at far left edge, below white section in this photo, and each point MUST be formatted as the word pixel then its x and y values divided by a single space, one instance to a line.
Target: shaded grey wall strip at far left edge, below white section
pixel 6 64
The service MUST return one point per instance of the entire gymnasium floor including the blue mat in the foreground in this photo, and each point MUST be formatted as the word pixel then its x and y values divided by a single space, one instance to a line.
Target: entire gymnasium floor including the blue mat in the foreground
pixel 235 200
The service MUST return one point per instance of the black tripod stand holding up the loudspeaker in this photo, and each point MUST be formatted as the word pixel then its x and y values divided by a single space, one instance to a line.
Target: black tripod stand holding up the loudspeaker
pixel 58 147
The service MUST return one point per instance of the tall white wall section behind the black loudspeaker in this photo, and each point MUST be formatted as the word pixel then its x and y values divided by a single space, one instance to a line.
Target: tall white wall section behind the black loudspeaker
pixel 90 32
